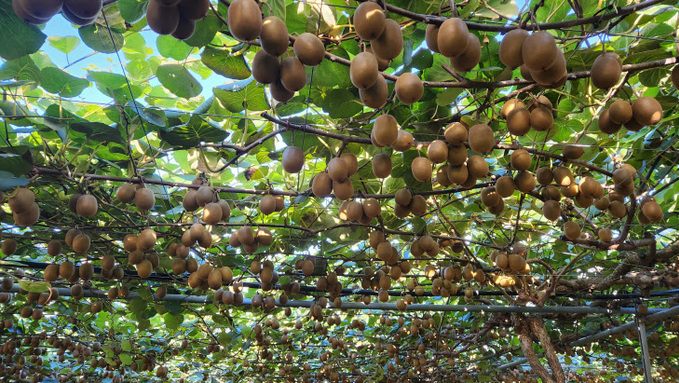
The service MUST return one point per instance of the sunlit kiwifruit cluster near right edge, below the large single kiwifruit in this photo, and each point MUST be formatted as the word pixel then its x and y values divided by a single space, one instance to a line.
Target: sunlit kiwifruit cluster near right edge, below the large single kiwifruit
pixel 644 111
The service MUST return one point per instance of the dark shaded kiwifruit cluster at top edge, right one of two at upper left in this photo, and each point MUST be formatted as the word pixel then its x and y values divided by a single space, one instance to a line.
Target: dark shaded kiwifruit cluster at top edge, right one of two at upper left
pixel 176 17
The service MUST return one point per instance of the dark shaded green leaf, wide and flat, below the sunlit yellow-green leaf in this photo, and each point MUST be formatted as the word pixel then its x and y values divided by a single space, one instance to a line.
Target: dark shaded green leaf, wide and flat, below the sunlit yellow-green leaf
pixel 193 133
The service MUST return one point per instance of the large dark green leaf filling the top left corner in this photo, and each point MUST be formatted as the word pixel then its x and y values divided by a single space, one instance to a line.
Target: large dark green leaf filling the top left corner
pixel 18 37
